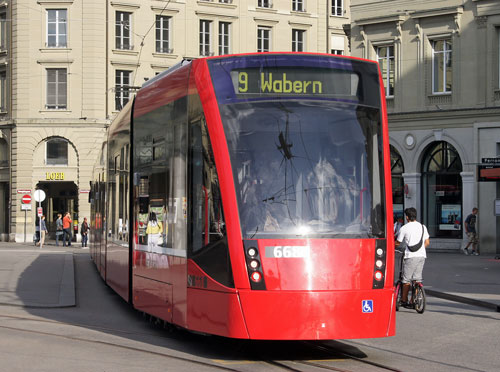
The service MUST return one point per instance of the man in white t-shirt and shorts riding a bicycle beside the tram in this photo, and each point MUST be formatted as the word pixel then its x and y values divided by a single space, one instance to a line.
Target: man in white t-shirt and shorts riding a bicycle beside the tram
pixel 411 233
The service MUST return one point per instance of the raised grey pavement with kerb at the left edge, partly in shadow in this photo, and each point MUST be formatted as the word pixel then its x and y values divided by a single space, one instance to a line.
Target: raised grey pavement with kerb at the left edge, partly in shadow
pixel 33 277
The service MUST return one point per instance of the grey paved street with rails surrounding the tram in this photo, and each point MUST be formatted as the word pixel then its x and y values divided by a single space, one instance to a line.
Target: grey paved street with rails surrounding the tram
pixel 102 333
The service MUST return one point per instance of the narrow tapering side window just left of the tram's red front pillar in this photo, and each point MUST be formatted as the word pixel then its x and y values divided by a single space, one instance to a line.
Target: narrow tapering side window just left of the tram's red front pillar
pixel 207 222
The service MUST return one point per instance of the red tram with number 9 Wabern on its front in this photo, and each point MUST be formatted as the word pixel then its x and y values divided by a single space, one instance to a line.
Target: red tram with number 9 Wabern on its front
pixel 249 196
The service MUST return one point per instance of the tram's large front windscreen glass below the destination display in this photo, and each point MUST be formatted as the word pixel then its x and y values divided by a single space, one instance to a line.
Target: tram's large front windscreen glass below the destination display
pixel 306 168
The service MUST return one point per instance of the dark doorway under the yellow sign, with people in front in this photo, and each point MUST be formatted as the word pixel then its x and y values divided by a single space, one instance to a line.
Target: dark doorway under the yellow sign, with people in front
pixel 61 197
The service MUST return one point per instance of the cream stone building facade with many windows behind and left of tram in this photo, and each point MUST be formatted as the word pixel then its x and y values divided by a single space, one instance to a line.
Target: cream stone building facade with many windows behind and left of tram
pixel 68 66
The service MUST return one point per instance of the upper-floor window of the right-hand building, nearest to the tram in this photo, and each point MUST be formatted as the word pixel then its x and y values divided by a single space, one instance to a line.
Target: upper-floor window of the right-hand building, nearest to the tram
pixel 441 66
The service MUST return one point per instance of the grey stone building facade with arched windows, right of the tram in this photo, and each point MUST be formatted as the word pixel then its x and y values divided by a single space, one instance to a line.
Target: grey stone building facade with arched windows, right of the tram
pixel 441 67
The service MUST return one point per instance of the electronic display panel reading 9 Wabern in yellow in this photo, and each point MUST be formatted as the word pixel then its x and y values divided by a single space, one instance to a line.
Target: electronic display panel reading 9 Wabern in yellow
pixel 295 81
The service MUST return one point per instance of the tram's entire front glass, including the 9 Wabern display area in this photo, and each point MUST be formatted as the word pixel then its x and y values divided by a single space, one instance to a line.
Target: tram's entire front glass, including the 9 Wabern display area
pixel 304 134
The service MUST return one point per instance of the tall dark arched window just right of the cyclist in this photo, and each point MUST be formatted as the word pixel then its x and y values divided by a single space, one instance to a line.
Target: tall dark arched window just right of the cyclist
pixel 442 191
